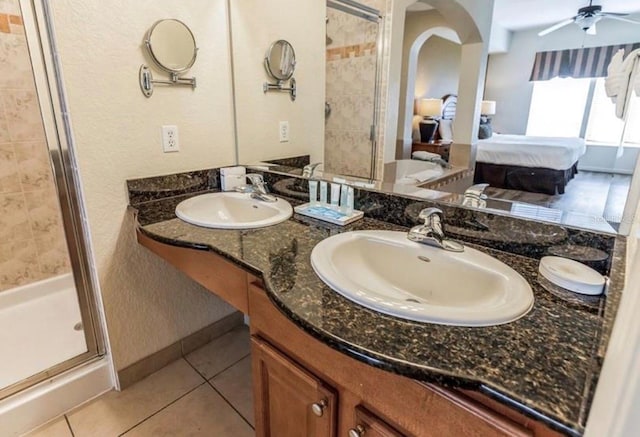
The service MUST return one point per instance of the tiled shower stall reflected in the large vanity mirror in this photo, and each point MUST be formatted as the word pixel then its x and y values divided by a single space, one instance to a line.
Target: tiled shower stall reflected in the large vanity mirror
pixel 353 47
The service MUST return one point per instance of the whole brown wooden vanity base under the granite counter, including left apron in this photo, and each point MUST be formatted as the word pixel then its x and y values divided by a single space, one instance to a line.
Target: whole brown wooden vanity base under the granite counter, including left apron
pixel 304 388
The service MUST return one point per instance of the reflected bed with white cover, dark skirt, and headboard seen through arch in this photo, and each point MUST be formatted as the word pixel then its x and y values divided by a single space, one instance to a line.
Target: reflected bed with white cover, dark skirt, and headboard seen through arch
pixel 519 162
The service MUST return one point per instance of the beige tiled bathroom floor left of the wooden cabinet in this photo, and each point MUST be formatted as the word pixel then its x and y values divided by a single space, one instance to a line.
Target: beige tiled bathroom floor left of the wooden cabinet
pixel 207 393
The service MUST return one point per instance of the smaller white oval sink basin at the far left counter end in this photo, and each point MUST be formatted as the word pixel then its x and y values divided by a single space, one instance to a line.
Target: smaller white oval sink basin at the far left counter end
pixel 232 211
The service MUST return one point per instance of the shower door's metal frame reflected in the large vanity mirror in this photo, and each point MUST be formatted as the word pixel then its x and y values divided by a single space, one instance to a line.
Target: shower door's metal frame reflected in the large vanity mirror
pixel 370 14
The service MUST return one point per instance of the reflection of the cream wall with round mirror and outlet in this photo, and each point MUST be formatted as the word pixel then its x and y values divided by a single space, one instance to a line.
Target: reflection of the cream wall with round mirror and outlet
pixel 255 25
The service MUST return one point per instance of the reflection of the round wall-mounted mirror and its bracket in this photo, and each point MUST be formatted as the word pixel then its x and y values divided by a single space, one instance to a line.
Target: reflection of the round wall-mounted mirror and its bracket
pixel 280 63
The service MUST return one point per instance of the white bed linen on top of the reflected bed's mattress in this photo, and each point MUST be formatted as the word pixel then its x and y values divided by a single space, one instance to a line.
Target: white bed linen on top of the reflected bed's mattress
pixel 557 153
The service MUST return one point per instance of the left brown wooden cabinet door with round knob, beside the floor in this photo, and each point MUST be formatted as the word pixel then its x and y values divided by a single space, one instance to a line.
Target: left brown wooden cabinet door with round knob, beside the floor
pixel 289 401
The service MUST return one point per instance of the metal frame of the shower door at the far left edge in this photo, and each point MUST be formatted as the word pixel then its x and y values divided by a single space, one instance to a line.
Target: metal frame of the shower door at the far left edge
pixel 55 117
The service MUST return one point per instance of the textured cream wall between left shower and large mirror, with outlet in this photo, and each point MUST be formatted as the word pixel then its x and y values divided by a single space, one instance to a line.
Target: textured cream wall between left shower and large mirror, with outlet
pixel 148 305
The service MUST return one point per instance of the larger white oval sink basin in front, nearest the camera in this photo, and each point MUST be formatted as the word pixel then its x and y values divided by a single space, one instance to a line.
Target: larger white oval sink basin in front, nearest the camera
pixel 386 272
